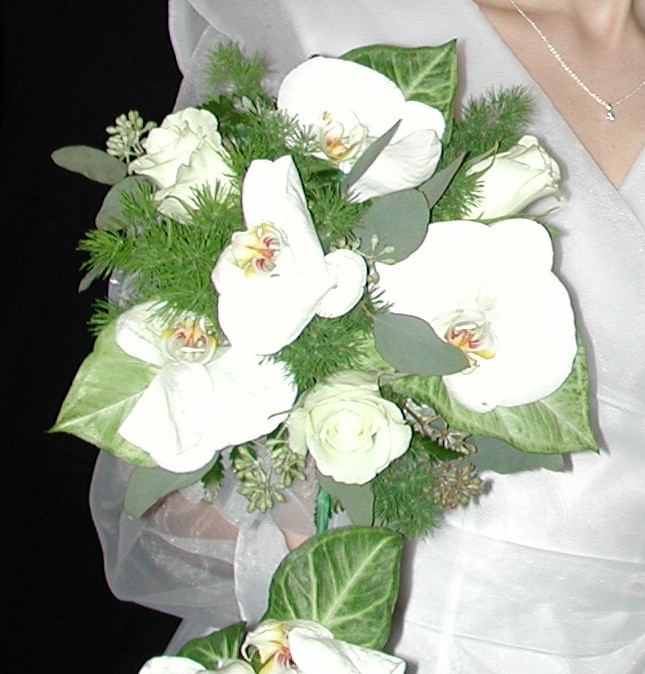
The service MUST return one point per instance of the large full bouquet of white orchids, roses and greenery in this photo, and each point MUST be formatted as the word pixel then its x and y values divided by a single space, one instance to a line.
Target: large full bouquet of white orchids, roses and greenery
pixel 336 284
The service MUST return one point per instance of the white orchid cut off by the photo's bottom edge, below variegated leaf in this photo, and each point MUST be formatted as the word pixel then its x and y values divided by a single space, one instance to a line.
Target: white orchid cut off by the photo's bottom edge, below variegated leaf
pixel 307 647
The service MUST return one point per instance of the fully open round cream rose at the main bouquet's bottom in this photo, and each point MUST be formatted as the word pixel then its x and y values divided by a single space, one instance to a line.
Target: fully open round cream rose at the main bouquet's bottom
pixel 351 431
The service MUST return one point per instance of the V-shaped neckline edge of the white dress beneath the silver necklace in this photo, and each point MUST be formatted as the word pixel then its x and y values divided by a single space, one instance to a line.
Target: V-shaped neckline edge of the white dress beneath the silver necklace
pixel 538 89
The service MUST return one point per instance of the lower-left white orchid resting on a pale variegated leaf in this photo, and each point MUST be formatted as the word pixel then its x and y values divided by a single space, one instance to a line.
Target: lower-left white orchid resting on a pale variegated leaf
pixel 203 397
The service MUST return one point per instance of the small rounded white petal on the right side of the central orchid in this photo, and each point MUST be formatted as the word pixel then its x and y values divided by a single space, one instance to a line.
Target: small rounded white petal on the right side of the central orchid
pixel 349 273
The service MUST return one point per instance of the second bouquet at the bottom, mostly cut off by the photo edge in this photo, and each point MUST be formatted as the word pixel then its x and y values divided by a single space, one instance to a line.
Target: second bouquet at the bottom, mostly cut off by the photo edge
pixel 310 626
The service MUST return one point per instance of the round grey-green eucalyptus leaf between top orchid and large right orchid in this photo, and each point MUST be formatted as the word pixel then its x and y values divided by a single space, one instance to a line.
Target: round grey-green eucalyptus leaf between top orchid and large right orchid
pixel 398 220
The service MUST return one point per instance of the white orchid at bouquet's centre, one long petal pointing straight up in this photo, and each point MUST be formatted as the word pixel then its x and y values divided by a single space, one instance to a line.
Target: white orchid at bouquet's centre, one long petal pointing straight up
pixel 274 277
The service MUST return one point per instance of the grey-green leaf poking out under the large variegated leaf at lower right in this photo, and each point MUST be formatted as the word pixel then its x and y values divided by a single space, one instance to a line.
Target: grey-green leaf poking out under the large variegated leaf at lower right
pixel 500 457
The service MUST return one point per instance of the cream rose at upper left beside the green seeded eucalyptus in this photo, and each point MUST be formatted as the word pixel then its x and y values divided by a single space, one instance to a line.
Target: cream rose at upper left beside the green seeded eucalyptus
pixel 185 153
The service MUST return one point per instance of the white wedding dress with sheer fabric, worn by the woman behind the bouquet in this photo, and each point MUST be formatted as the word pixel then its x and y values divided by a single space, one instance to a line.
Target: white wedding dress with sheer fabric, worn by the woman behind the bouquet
pixel 546 574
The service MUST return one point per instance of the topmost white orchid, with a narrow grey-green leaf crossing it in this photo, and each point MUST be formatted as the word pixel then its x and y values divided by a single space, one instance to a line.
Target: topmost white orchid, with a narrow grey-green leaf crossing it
pixel 349 106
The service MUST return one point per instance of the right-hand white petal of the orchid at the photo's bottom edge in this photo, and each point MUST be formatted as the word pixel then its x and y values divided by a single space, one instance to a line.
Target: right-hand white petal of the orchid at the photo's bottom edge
pixel 314 655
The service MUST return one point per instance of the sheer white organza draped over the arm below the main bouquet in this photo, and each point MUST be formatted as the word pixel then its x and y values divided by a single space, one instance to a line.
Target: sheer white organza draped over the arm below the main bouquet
pixel 211 563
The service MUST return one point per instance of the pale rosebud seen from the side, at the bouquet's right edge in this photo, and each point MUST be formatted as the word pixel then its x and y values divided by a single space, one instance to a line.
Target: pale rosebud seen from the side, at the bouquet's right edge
pixel 512 180
